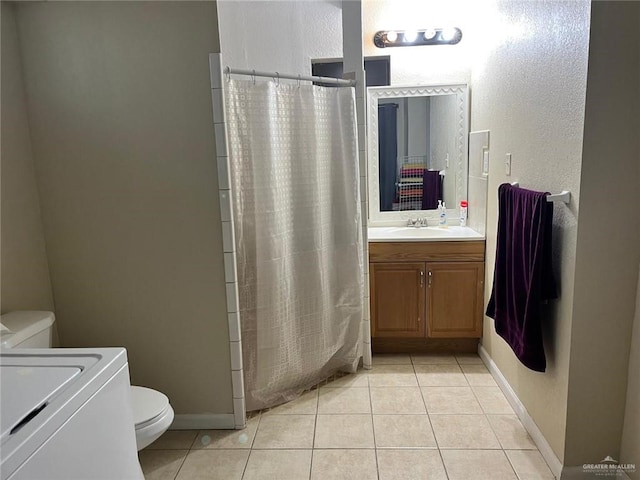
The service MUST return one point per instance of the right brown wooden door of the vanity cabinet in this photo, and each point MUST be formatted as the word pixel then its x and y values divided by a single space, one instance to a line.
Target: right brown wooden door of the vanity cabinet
pixel 455 296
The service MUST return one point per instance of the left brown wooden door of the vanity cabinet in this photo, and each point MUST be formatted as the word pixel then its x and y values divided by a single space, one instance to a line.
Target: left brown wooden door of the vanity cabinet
pixel 397 299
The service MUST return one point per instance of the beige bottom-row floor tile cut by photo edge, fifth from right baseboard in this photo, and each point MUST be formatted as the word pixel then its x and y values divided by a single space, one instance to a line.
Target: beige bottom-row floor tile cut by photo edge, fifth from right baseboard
pixel 278 465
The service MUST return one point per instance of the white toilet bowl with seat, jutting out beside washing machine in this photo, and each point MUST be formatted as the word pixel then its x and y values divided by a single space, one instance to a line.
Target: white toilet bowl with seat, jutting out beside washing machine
pixel 152 414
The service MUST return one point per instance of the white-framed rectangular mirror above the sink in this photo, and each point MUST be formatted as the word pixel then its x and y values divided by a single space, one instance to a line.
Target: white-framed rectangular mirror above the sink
pixel 417 151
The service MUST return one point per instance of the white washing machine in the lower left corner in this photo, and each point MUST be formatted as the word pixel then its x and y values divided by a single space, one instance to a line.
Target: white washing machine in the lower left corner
pixel 66 414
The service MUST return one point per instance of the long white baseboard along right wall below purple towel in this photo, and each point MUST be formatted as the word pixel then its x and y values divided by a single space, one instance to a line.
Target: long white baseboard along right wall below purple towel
pixel 536 435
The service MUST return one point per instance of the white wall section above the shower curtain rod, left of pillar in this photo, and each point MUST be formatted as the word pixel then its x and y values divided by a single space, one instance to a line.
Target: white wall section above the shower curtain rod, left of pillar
pixel 279 36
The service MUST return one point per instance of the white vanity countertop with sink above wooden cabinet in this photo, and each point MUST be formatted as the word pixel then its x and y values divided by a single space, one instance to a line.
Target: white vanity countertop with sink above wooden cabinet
pixel 422 234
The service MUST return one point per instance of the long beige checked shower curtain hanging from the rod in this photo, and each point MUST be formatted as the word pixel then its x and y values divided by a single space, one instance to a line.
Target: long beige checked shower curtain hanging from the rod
pixel 296 203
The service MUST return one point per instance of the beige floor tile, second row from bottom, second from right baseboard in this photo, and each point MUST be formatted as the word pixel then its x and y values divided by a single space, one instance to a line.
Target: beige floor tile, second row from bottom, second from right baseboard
pixel 463 431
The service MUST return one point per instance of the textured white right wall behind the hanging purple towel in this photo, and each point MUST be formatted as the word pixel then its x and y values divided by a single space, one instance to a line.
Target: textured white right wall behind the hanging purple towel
pixel 530 94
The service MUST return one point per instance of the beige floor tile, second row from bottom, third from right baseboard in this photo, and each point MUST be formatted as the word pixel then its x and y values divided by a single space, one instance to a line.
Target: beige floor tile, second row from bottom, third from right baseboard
pixel 403 431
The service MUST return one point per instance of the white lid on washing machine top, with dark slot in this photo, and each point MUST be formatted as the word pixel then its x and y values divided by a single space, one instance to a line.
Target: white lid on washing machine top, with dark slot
pixel 27 390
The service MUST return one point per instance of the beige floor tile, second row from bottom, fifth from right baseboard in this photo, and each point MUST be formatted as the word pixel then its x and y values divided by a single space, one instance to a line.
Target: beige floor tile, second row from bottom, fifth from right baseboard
pixel 285 431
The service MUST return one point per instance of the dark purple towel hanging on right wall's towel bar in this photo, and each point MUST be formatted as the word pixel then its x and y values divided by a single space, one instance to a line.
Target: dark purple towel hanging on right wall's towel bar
pixel 523 275
